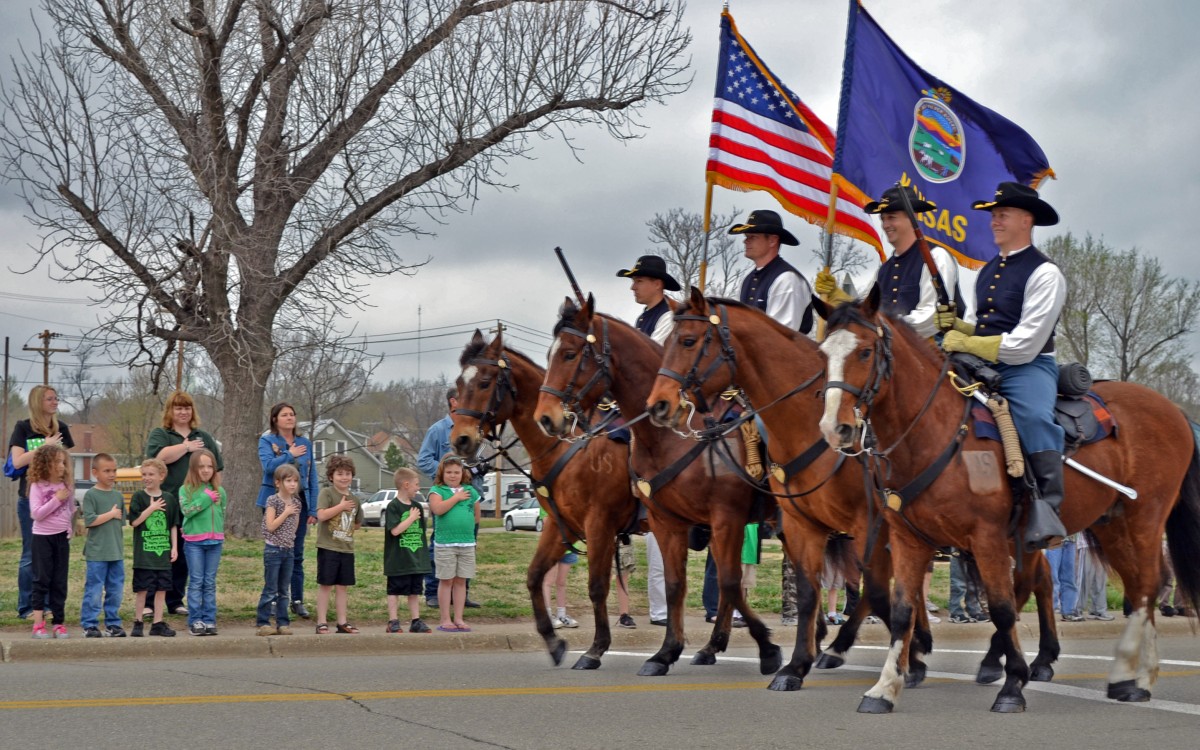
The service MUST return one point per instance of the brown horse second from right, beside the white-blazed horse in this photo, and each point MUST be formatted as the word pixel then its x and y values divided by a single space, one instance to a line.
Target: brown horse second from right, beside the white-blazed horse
pixel 721 346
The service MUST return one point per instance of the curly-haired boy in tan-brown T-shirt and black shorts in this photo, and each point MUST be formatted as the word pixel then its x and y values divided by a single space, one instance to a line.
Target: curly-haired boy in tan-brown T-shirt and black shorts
pixel 339 515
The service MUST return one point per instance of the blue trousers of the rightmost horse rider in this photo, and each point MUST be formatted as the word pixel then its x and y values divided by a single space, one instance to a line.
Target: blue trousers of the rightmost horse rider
pixel 1031 391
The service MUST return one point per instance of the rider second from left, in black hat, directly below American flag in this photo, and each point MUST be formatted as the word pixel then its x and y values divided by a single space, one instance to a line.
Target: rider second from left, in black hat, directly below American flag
pixel 775 286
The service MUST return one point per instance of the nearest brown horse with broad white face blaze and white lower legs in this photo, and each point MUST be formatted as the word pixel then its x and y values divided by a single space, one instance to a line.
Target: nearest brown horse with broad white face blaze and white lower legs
pixel 886 380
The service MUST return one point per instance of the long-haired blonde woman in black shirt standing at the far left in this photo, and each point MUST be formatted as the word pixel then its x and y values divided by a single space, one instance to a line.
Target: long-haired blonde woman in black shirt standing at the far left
pixel 41 429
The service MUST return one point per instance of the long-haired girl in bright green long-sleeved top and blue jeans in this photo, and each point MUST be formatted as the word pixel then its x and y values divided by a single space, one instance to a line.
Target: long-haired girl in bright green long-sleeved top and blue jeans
pixel 202 500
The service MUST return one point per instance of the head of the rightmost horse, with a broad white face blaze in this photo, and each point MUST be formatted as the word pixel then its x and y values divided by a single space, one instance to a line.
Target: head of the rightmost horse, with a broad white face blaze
pixel 859 355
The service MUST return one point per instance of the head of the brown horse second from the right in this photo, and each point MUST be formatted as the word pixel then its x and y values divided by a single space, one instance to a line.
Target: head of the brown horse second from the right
pixel 699 363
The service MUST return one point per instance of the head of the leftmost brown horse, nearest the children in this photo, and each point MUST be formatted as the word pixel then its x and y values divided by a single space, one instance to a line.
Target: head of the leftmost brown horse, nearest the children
pixel 487 393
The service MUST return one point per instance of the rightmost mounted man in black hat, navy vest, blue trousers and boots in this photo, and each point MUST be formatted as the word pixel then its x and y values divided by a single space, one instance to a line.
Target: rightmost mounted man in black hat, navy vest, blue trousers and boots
pixel 1019 297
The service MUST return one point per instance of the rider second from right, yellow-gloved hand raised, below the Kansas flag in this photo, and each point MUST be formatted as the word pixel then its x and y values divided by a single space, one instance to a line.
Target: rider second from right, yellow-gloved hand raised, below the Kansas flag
pixel 904 279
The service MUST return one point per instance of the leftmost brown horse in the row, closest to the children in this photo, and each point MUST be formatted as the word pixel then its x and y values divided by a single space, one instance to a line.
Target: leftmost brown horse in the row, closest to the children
pixel 584 488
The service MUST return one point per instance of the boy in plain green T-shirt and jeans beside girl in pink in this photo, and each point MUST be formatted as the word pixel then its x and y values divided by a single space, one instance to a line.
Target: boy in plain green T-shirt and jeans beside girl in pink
pixel 104 514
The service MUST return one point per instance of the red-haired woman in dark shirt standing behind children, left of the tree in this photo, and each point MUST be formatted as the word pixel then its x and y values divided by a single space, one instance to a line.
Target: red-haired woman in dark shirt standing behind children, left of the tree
pixel 175 445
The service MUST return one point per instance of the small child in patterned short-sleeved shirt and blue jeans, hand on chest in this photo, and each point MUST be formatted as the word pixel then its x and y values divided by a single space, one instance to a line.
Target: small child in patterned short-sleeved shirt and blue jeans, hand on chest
pixel 280 521
